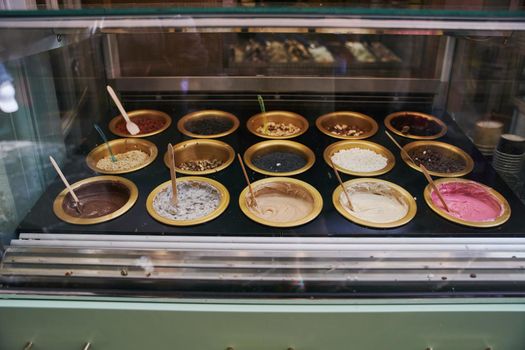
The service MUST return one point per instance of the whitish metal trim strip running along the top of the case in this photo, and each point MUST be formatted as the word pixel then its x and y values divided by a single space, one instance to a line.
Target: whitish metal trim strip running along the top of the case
pixel 227 21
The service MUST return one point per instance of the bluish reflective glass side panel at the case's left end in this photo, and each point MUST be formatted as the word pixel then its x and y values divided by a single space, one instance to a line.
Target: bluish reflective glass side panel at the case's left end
pixel 55 92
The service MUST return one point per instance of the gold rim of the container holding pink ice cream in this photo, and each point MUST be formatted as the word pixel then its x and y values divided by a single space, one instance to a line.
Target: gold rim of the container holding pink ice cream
pixel 505 215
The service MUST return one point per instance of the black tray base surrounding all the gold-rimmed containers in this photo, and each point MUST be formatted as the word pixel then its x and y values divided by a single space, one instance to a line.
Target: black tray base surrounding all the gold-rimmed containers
pixel 233 222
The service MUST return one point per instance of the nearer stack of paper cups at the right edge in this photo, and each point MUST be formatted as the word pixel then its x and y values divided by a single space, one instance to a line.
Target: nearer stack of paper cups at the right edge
pixel 509 156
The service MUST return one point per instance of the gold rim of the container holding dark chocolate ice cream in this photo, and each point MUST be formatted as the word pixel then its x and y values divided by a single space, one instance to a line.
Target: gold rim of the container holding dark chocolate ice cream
pixel 62 215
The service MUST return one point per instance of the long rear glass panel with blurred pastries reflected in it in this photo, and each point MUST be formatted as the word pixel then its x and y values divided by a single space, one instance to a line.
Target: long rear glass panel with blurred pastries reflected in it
pixel 278 54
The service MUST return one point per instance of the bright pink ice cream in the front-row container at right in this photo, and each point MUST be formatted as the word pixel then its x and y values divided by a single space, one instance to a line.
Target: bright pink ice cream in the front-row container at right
pixel 468 201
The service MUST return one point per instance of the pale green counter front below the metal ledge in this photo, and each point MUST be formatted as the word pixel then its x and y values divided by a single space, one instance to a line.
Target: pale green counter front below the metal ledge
pixel 137 324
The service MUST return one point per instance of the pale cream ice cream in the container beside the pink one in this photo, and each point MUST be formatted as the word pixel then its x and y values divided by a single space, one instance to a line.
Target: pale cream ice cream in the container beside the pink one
pixel 374 202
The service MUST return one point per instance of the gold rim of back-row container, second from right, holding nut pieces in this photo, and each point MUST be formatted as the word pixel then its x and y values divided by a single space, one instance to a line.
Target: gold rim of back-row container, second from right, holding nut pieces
pixel 350 118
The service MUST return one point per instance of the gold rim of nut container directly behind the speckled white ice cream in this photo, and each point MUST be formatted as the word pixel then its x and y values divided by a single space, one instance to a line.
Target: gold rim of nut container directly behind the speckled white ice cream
pixel 198 149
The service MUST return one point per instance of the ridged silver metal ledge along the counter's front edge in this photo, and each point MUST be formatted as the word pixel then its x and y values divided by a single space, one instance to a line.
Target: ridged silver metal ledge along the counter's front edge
pixel 323 267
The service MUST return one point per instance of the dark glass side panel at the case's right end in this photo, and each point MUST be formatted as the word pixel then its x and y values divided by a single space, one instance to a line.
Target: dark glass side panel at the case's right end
pixel 486 82
